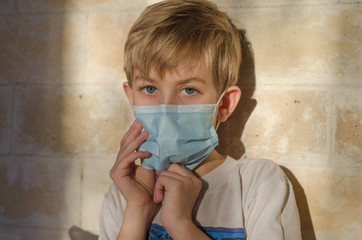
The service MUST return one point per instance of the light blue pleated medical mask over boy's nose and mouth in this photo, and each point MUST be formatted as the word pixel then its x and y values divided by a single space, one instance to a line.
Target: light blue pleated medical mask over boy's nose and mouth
pixel 177 133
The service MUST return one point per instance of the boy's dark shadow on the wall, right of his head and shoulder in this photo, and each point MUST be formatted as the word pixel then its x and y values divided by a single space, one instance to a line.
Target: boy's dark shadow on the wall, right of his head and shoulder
pixel 231 131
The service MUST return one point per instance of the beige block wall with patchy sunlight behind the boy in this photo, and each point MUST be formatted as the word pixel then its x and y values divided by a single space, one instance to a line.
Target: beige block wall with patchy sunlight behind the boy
pixel 63 110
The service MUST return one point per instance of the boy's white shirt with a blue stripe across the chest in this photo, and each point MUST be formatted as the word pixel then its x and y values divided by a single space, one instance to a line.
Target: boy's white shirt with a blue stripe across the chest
pixel 241 199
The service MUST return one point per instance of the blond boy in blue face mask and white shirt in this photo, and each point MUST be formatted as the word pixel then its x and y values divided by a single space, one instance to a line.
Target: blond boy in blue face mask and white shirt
pixel 181 61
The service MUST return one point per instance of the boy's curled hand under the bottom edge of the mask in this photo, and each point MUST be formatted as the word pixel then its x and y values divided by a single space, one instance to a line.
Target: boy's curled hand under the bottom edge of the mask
pixel 178 188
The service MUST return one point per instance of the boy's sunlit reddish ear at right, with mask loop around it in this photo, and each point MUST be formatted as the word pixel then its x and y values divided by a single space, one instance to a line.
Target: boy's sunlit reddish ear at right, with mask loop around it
pixel 228 103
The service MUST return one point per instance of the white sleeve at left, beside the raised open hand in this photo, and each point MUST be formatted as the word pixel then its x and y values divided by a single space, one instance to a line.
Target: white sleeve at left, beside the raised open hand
pixel 111 214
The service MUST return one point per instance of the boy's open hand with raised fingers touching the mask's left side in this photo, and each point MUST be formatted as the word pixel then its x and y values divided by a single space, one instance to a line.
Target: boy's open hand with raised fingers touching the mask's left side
pixel 134 182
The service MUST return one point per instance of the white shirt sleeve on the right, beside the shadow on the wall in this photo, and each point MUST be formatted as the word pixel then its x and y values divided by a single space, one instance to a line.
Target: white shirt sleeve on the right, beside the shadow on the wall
pixel 270 210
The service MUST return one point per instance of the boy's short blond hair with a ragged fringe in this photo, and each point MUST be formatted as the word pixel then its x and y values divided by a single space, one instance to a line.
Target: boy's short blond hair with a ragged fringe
pixel 174 32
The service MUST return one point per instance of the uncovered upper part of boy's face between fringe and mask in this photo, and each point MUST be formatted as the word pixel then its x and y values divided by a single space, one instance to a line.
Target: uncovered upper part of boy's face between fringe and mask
pixel 184 85
